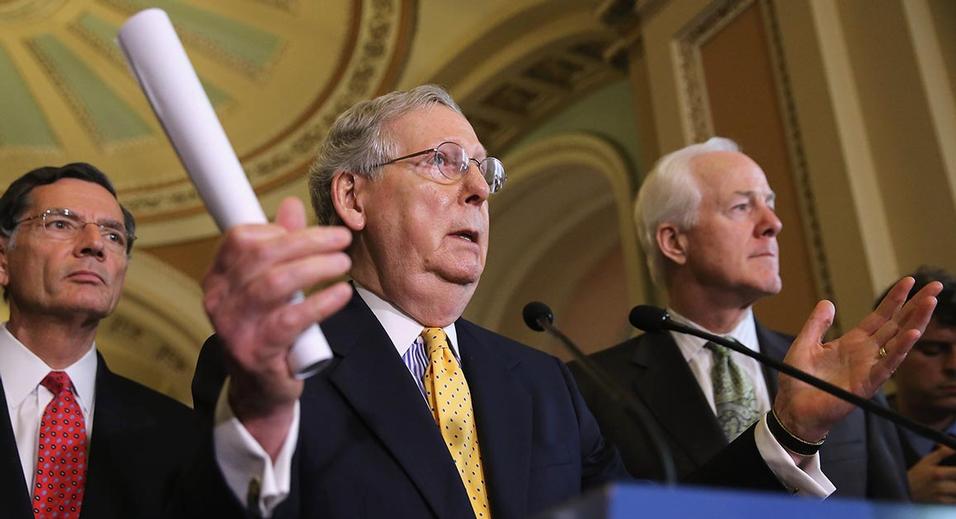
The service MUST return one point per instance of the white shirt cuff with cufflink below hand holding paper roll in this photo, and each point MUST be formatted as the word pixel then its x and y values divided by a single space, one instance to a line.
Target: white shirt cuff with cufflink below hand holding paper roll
pixel 245 465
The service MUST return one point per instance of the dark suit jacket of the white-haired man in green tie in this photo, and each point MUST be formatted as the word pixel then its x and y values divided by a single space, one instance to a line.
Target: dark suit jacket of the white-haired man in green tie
pixel 861 455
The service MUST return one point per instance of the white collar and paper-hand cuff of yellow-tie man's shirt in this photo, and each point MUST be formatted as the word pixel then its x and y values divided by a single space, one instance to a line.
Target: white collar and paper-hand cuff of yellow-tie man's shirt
pixel 243 460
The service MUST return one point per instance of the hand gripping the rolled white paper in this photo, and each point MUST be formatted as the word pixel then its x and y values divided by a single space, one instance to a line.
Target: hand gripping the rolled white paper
pixel 247 292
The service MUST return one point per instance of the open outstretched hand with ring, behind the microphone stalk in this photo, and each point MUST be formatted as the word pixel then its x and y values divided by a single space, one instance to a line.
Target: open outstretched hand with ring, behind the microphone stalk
pixel 860 361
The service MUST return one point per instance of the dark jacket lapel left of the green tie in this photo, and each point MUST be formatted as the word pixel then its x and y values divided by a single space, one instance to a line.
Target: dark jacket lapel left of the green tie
pixel 666 379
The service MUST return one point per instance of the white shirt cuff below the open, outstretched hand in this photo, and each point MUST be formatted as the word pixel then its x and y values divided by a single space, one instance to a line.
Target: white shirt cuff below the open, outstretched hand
pixel 805 479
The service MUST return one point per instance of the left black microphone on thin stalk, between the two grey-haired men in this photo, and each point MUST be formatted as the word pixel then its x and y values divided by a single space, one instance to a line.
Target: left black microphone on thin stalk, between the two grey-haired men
pixel 539 317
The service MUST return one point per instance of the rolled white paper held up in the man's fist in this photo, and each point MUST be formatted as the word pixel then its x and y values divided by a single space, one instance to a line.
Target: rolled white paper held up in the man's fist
pixel 164 72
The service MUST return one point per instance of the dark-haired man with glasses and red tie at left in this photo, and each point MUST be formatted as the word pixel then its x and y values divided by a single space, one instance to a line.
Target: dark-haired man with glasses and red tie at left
pixel 64 250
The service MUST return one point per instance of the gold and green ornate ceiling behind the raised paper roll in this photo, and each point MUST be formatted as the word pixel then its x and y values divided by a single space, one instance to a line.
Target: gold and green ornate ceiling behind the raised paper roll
pixel 277 72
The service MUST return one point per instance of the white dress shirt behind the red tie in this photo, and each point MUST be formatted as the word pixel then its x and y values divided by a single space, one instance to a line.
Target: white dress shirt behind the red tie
pixel 21 372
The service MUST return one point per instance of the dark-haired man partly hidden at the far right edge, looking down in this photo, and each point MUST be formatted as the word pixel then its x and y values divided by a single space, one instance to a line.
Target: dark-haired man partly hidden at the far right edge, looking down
pixel 926 392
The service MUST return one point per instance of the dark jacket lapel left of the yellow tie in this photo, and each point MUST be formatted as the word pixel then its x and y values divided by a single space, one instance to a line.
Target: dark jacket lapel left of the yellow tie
pixel 376 383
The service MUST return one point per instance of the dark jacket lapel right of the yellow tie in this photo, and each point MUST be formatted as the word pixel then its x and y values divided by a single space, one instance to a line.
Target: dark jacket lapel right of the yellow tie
pixel 503 414
